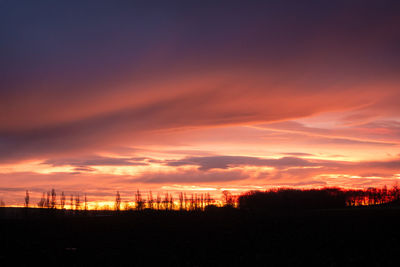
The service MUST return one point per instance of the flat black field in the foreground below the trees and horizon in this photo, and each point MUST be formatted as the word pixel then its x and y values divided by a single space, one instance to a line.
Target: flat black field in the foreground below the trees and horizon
pixel 349 237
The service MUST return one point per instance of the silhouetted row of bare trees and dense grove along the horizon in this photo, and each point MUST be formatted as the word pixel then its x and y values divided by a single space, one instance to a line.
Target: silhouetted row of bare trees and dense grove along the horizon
pixel 282 198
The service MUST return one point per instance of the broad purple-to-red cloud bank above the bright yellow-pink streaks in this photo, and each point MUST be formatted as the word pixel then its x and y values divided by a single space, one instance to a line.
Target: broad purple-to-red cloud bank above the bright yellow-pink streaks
pixel 83 92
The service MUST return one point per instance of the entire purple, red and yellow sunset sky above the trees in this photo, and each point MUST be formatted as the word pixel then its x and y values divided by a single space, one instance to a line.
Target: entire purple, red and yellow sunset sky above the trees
pixel 197 96
